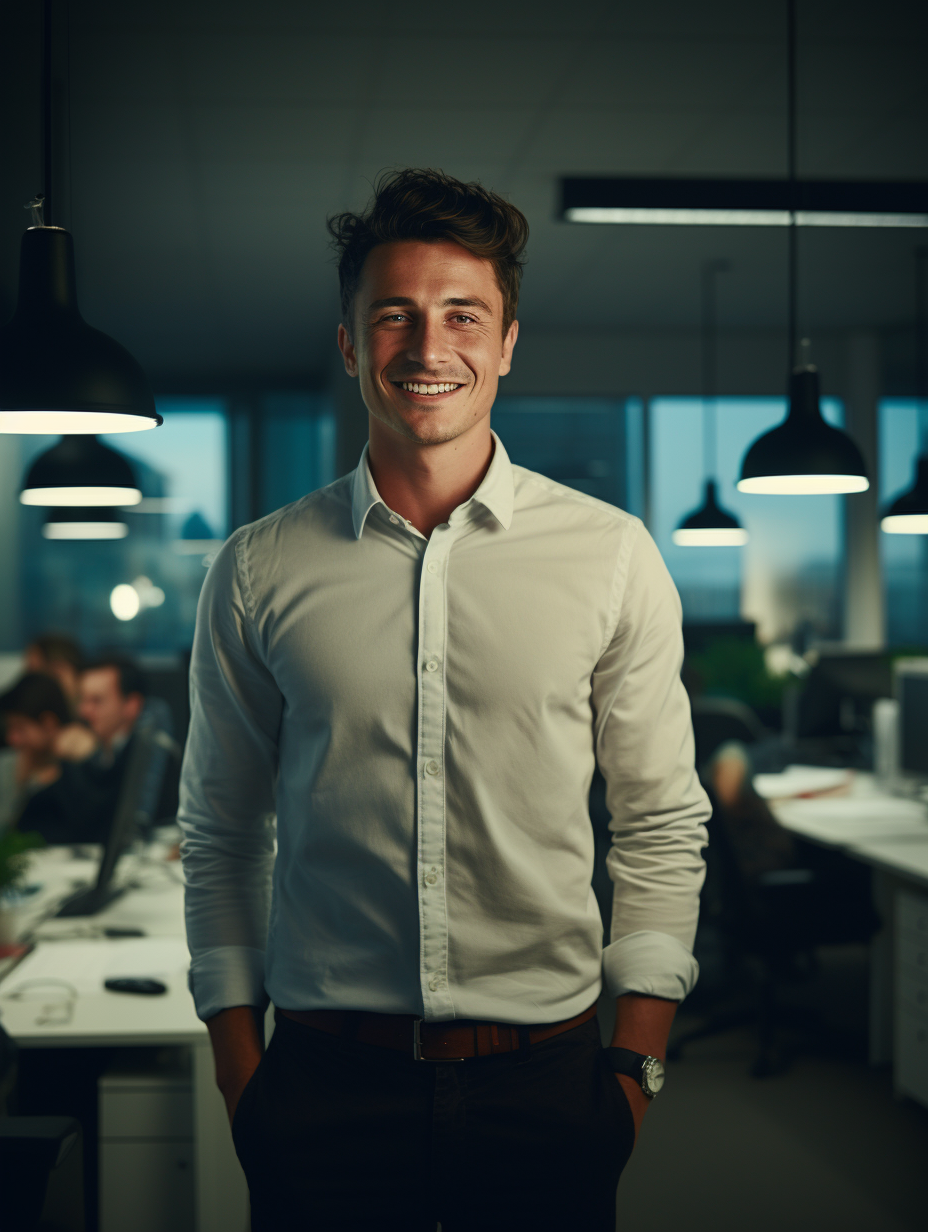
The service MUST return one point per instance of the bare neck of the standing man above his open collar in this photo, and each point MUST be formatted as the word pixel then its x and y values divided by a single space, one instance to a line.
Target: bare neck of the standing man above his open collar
pixel 425 484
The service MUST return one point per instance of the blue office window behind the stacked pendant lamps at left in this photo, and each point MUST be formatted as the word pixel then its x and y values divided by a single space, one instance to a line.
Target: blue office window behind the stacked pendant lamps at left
pixel 141 592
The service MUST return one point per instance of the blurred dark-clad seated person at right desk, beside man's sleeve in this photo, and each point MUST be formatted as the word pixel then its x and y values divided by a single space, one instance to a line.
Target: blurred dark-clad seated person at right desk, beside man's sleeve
pixel 840 904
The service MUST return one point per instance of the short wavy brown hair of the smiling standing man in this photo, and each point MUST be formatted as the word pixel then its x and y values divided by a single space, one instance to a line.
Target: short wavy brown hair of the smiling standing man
pixel 429 205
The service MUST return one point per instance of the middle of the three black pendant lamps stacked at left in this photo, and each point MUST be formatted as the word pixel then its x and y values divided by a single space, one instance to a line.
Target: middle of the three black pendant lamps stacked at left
pixel 81 471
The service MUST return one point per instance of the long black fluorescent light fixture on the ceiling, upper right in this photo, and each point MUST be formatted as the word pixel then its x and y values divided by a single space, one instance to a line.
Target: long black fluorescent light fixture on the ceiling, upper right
pixel 660 203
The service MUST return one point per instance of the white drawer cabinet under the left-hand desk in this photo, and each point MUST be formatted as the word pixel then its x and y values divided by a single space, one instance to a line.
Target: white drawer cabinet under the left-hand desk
pixel 147 1164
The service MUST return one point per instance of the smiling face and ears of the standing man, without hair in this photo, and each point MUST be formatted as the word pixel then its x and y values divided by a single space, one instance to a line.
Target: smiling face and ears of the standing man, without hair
pixel 428 314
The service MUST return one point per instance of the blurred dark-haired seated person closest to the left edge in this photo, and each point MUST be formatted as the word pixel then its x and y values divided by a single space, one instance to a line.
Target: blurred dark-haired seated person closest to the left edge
pixel 39 790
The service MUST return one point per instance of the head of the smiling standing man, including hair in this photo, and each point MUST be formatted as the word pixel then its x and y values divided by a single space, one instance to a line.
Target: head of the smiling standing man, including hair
pixel 429 279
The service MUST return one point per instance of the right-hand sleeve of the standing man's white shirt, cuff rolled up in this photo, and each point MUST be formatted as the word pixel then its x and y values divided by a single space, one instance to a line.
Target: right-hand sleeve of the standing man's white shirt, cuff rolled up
pixel 645 748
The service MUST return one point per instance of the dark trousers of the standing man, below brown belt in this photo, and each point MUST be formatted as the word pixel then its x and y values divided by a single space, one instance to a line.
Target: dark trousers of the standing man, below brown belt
pixel 337 1135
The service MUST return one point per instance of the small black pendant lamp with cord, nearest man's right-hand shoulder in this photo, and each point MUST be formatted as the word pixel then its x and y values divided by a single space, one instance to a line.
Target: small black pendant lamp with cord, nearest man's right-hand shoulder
pixel 710 525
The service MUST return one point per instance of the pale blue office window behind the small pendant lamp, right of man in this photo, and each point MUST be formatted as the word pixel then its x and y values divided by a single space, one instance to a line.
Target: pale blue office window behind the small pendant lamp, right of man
pixel 788 576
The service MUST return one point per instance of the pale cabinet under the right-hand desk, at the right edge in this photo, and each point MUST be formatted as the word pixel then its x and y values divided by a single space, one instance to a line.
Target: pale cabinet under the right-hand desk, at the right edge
pixel 911 985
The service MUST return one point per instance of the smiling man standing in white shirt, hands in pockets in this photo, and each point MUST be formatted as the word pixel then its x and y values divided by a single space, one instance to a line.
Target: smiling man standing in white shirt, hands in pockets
pixel 420 668
